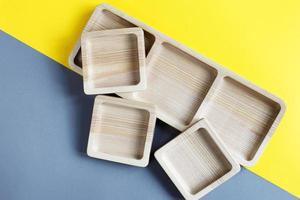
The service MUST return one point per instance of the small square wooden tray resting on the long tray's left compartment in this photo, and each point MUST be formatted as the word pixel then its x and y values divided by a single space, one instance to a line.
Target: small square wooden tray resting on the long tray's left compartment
pixel 113 61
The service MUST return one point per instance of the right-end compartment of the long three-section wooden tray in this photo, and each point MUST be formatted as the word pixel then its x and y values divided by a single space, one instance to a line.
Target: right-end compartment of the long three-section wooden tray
pixel 242 117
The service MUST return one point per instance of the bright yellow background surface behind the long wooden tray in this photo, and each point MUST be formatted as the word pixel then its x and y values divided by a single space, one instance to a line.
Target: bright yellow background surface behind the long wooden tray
pixel 260 40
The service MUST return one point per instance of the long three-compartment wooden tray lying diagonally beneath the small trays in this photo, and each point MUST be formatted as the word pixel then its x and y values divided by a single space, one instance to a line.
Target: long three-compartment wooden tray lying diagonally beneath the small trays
pixel 185 87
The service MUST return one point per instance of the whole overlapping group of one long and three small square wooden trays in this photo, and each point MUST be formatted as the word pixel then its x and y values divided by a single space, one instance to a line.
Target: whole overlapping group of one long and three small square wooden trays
pixel 226 120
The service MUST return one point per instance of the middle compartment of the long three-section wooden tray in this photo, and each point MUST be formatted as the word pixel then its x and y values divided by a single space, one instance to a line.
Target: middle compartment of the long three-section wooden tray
pixel 179 83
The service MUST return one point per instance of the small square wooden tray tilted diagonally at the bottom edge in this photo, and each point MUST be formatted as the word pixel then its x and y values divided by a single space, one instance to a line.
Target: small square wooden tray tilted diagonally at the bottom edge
pixel 197 161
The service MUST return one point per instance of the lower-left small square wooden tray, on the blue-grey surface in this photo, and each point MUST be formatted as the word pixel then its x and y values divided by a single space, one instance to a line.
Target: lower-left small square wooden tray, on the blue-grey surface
pixel 121 131
